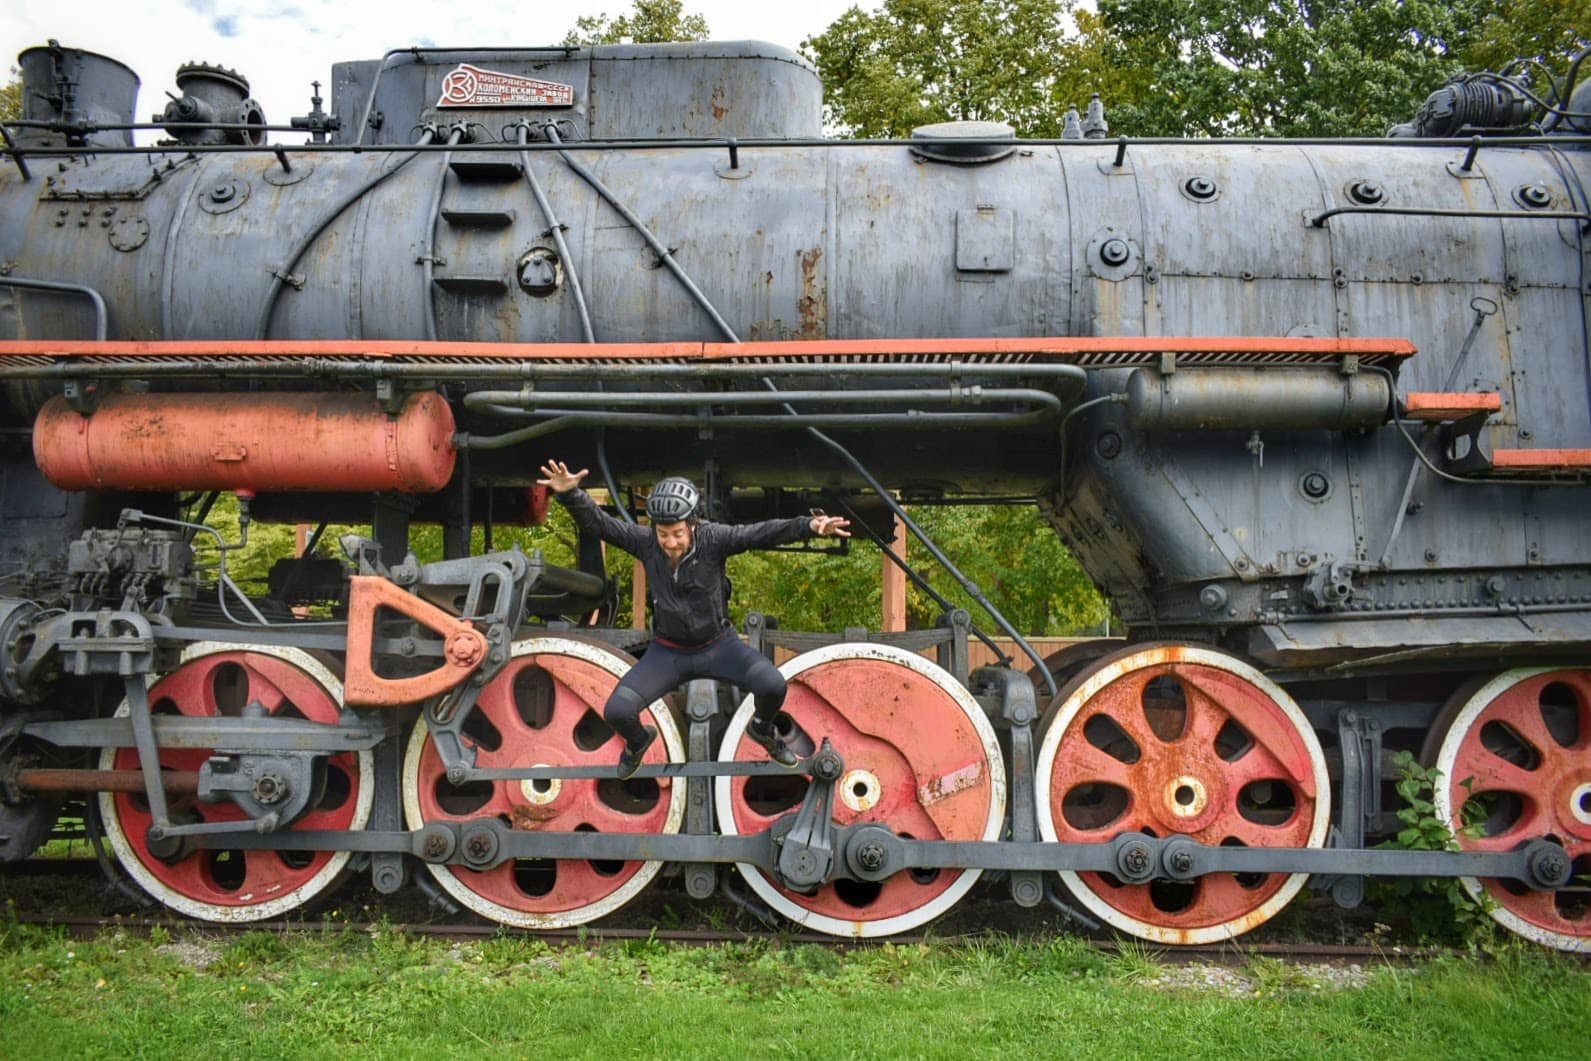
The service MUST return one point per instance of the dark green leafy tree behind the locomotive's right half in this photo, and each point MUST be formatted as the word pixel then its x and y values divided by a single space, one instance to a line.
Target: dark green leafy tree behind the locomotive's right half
pixel 1286 68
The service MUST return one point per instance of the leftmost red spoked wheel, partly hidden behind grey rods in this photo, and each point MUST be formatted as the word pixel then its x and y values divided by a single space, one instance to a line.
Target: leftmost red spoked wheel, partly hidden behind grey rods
pixel 233 885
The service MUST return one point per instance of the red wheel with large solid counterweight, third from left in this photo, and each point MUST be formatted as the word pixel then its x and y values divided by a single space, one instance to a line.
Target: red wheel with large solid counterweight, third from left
pixel 920 758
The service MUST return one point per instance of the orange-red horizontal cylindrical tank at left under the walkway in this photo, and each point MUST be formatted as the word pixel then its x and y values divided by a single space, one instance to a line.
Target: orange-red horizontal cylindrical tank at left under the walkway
pixel 262 441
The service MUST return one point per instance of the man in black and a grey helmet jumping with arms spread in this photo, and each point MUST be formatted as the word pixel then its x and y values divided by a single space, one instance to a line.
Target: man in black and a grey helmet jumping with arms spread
pixel 685 575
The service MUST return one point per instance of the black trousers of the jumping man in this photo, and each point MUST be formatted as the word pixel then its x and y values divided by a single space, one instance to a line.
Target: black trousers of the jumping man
pixel 666 669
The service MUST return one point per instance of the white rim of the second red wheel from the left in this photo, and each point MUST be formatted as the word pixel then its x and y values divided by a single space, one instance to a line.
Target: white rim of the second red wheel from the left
pixel 636 885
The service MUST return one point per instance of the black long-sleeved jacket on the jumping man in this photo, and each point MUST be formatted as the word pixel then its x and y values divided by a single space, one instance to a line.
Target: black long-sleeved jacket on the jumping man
pixel 690 604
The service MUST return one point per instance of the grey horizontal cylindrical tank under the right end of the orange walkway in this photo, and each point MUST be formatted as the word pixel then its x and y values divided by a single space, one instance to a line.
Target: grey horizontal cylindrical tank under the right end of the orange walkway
pixel 1270 398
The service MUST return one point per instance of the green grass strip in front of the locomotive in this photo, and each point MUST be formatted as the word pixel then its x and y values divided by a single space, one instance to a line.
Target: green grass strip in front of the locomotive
pixel 381 992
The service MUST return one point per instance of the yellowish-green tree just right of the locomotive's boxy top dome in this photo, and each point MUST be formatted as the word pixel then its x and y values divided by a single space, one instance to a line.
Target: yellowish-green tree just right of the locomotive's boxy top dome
pixel 916 63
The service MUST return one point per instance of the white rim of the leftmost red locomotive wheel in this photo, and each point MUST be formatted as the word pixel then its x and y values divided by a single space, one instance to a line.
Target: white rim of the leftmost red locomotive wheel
pixel 273 907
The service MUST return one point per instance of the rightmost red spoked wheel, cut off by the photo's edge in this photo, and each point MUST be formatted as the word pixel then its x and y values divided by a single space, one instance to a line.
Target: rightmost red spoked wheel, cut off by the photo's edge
pixel 1515 766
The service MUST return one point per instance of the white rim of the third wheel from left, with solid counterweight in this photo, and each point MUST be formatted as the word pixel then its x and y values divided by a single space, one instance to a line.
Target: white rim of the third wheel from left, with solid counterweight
pixel 938 906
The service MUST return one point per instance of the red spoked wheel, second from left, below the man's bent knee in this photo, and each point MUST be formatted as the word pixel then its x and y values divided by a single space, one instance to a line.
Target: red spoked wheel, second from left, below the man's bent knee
pixel 545 710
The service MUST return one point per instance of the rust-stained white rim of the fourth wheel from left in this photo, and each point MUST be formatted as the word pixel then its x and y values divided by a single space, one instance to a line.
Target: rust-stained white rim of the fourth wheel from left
pixel 1046 775
